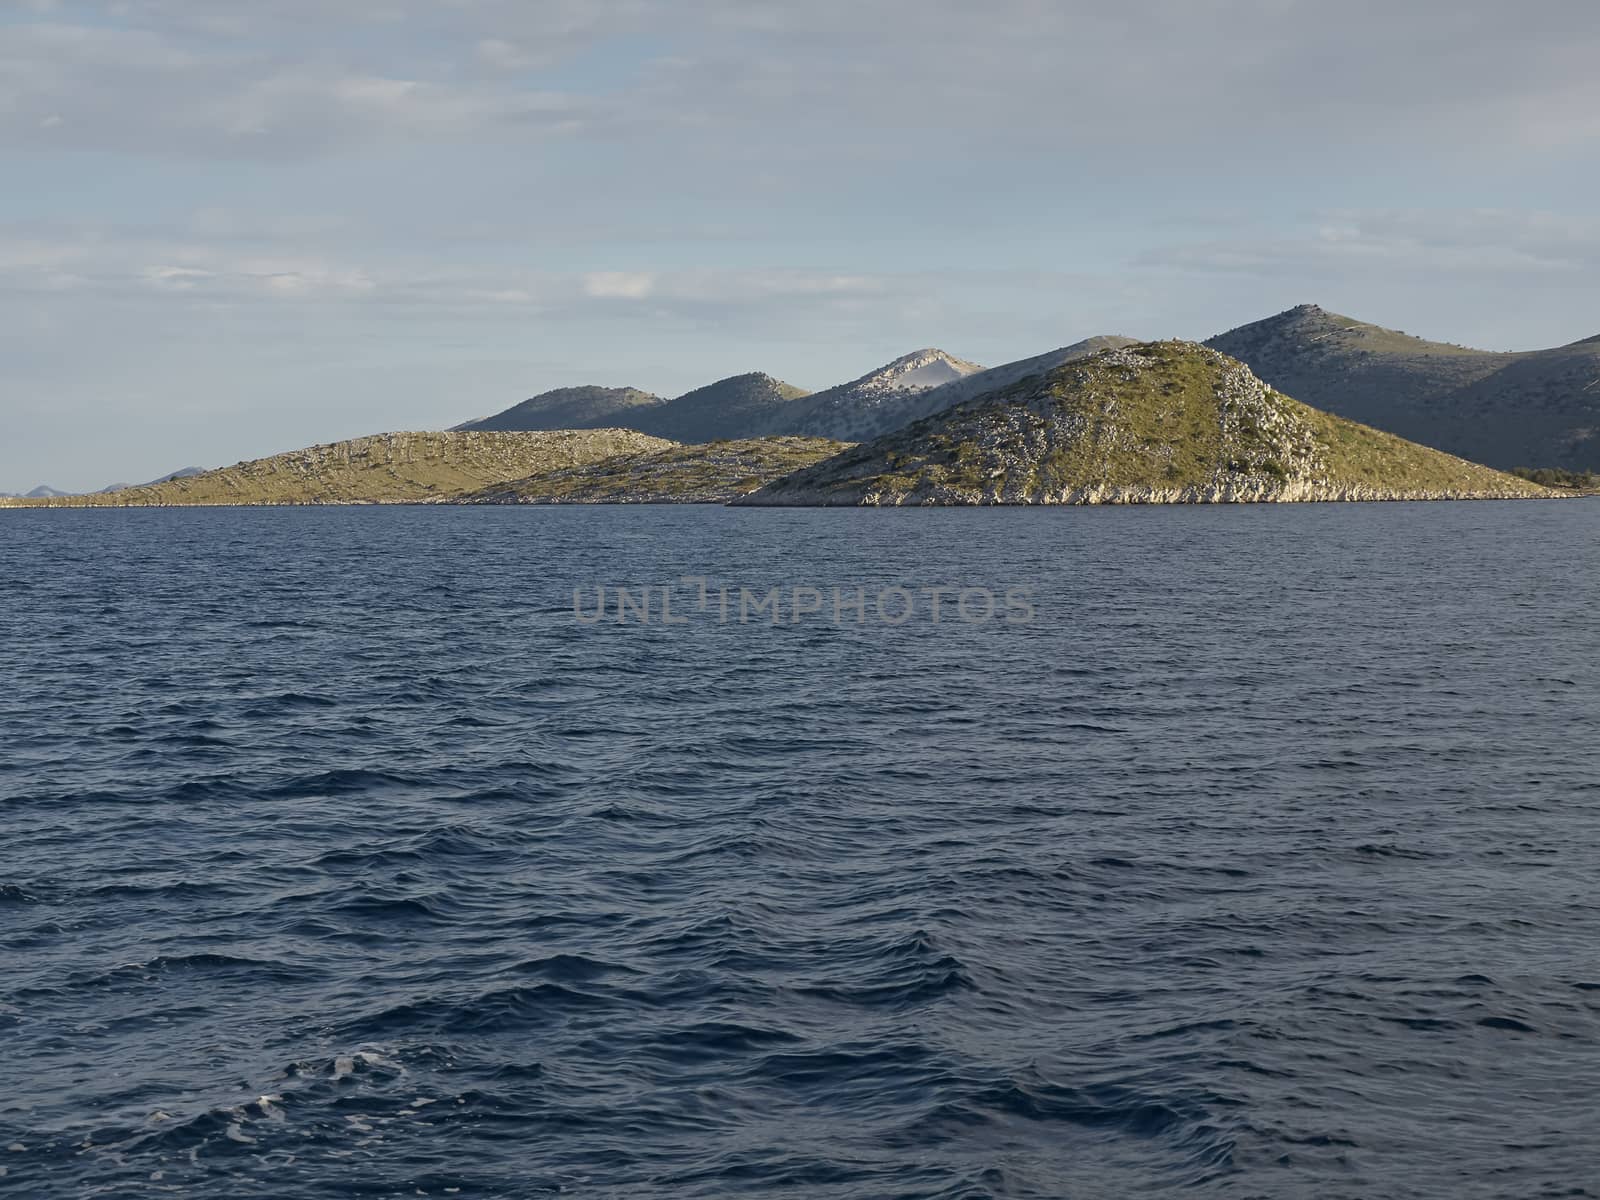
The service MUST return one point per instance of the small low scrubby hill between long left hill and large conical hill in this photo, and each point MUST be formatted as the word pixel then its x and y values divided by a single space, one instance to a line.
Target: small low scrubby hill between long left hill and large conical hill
pixel 713 473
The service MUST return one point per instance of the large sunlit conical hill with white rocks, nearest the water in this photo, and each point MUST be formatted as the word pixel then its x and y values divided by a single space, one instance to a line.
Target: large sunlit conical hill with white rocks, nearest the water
pixel 1146 425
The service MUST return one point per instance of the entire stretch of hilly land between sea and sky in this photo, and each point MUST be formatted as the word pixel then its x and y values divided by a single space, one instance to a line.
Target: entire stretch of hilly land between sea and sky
pixel 1375 415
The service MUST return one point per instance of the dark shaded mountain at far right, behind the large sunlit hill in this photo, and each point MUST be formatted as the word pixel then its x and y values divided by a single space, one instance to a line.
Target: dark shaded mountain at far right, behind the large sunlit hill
pixel 1538 409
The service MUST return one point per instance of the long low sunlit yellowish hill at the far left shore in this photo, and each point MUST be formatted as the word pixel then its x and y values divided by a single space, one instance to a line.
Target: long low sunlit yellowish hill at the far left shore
pixel 383 470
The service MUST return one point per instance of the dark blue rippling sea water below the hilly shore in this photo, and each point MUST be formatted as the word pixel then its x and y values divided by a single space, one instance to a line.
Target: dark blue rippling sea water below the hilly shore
pixel 340 858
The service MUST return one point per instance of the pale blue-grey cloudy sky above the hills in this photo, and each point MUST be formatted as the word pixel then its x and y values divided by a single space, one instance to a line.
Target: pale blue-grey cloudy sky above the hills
pixel 233 228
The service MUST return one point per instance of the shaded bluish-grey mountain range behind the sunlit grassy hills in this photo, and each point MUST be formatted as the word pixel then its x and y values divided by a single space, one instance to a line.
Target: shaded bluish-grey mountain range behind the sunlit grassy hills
pixel 1534 409
